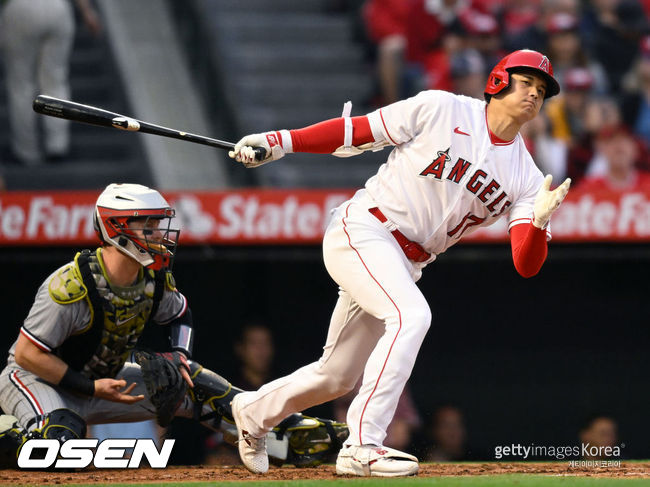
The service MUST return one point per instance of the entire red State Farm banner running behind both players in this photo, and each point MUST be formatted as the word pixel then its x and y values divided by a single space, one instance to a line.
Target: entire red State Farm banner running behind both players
pixel 286 217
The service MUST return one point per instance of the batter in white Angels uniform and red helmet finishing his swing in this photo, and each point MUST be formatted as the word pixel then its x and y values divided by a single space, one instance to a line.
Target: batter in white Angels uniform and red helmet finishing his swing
pixel 458 164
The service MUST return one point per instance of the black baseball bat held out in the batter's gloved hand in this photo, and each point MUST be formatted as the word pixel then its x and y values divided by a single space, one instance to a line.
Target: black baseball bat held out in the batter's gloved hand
pixel 69 110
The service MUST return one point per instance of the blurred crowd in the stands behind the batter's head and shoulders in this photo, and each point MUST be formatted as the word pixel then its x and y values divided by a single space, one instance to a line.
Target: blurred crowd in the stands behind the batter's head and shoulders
pixel 597 131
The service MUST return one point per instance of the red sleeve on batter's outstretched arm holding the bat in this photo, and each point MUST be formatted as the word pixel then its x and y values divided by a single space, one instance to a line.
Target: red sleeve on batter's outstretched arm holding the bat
pixel 325 137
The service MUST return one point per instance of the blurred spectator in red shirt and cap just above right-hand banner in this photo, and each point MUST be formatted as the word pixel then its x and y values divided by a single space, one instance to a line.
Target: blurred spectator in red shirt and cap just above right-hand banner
pixel 615 165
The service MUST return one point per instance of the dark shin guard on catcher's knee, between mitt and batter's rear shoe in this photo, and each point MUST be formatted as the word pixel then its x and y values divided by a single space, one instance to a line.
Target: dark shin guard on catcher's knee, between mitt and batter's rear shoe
pixel 211 396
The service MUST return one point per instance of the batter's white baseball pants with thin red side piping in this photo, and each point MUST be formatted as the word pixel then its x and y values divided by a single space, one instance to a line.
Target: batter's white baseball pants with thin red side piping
pixel 376 329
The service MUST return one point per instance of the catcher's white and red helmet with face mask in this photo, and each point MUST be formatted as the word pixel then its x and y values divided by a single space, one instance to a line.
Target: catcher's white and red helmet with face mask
pixel 152 241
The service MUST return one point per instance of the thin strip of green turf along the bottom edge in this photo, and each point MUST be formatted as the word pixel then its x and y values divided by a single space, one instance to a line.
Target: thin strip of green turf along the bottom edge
pixel 518 480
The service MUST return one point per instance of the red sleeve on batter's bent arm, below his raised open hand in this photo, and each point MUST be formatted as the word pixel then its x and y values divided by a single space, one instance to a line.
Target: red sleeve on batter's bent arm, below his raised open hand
pixel 529 248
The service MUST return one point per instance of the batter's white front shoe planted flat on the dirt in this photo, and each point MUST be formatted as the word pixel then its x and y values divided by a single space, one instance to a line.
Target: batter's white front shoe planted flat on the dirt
pixel 375 461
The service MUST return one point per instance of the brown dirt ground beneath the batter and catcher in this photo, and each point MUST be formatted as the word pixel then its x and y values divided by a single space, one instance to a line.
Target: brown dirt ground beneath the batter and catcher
pixel 211 473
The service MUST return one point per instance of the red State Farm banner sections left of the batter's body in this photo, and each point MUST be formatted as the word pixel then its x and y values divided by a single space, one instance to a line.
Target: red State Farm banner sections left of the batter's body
pixel 230 217
